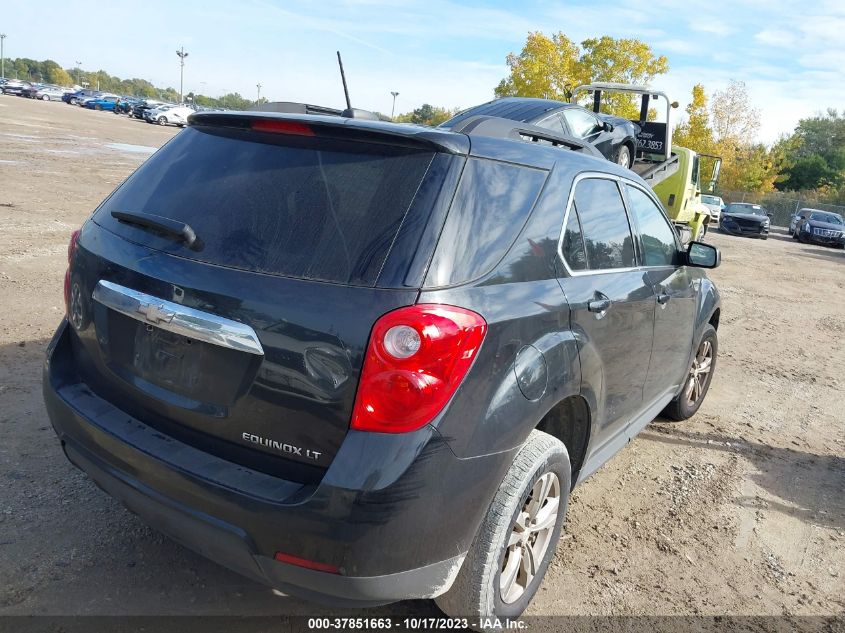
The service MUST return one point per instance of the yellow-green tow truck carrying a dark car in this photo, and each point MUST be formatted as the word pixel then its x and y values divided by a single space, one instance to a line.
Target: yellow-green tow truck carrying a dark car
pixel 673 172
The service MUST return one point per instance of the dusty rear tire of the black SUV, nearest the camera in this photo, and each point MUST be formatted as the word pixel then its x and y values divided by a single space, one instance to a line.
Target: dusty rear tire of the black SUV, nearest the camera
pixel 477 590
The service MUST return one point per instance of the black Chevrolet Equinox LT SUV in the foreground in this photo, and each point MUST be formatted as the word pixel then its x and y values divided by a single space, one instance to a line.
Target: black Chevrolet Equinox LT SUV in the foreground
pixel 362 362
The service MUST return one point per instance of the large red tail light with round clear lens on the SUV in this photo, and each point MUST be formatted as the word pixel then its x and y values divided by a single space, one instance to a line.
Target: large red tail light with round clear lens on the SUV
pixel 416 359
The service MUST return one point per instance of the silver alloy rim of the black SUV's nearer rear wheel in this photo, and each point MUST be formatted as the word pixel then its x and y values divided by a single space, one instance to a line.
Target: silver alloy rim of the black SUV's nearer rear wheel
pixel 530 537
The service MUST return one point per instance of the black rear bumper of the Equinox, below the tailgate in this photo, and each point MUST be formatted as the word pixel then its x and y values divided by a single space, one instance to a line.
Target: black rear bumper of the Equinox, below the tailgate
pixel 394 513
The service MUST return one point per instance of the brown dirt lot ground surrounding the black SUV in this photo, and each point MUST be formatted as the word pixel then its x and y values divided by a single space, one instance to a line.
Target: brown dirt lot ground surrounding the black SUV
pixel 737 511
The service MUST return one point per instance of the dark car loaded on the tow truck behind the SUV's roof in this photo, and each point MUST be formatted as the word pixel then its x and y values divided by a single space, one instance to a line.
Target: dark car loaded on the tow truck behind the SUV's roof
pixel 614 137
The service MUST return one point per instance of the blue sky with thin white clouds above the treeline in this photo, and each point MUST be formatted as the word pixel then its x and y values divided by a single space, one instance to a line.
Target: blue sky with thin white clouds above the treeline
pixel 790 54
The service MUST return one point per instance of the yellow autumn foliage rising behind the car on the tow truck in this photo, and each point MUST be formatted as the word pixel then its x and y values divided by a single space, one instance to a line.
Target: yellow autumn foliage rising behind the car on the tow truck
pixel 552 67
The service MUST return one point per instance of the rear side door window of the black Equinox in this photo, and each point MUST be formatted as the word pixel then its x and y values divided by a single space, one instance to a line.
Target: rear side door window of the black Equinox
pixel 604 223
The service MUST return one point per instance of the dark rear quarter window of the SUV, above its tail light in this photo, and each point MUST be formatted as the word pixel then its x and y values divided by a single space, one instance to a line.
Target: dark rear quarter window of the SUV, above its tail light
pixel 489 210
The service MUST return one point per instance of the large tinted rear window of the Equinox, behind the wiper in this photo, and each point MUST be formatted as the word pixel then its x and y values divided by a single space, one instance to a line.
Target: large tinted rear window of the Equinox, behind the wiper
pixel 302 207
